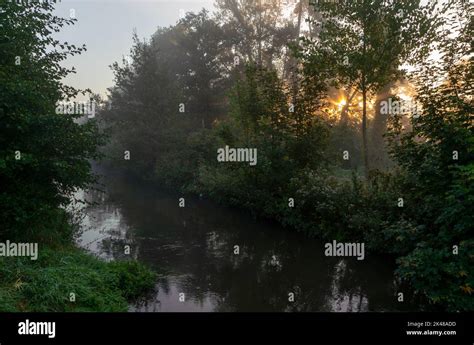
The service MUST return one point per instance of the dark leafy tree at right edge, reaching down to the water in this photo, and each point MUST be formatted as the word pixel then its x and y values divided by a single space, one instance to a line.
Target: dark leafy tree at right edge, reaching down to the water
pixel 437 160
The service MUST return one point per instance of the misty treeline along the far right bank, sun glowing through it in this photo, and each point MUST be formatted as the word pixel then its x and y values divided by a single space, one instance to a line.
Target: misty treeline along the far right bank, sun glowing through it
pixel 306 85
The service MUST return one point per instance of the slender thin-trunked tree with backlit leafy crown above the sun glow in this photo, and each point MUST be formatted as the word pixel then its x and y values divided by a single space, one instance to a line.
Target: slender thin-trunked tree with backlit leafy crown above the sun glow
pixel 362 45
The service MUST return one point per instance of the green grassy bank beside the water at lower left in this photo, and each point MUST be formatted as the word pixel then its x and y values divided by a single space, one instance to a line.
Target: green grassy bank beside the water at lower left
pixel 46 284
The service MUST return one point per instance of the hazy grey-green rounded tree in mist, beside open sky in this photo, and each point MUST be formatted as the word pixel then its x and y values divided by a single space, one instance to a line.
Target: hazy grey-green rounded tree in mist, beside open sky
pixel 173 89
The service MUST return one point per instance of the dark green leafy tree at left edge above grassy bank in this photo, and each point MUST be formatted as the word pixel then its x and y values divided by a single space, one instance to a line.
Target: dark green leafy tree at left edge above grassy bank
pixel 44 156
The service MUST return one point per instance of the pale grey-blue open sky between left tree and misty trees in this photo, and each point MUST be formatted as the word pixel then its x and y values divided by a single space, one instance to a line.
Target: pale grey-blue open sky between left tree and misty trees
pixel 106 27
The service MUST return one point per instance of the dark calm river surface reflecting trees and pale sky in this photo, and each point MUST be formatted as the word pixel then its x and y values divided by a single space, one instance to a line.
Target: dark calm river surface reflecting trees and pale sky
pixel 195 246
